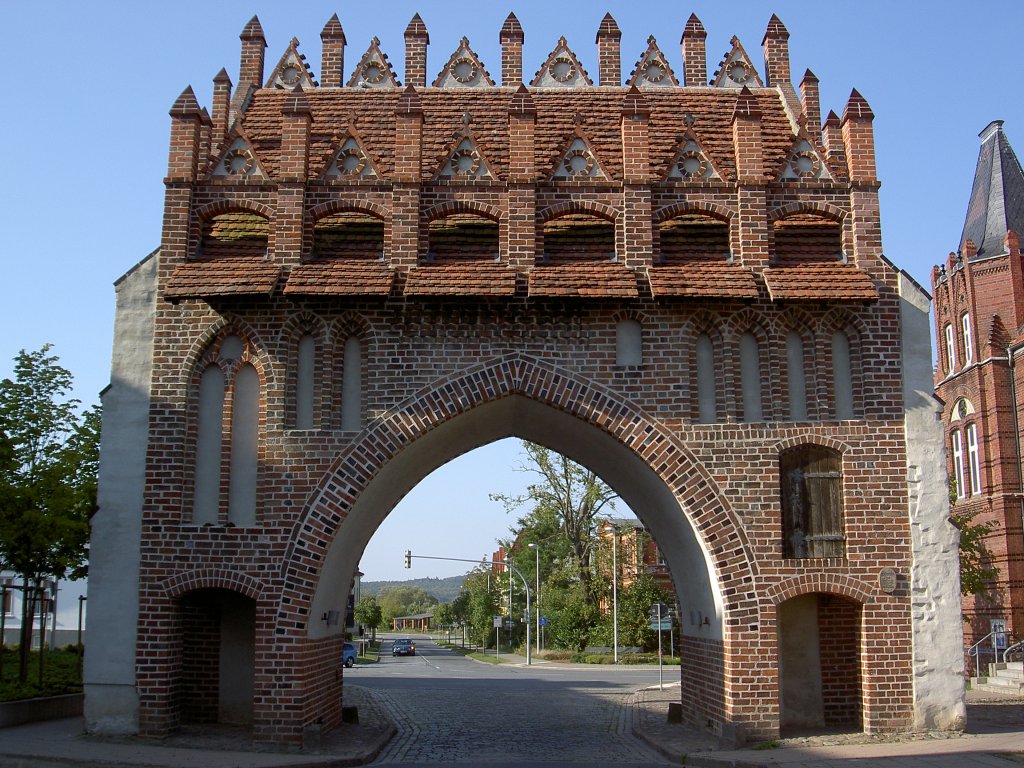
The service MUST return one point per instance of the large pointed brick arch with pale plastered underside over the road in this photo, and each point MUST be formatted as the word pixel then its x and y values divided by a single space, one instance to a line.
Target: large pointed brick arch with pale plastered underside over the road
pixel 654 473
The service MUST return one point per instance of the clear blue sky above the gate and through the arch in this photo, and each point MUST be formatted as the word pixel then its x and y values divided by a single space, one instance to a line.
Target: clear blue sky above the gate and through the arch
pixel 86 130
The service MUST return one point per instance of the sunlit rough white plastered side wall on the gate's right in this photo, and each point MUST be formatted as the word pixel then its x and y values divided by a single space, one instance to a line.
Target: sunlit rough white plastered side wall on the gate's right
pixel 938 634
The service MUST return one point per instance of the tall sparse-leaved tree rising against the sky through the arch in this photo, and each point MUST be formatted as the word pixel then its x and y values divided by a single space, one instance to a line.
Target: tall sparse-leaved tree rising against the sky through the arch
pixel 566 499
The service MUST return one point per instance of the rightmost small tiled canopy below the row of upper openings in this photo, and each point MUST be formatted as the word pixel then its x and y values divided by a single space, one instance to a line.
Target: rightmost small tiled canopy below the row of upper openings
pixel 820 281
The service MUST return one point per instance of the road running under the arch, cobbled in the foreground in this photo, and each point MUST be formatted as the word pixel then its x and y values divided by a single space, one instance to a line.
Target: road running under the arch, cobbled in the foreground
pixel 454 710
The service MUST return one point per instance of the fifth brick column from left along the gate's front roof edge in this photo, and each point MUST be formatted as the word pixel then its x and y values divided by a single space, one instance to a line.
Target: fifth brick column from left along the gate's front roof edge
pixel 637 232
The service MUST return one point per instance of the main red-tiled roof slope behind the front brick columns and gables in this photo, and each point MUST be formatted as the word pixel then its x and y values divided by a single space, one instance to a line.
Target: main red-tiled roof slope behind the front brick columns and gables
pixel 372 113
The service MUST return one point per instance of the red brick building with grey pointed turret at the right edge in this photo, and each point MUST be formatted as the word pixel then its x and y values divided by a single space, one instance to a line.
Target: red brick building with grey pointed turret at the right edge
pixel 979 324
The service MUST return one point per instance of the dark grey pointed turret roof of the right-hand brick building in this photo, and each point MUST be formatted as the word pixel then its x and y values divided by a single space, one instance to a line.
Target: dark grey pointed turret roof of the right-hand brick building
pixel 998 197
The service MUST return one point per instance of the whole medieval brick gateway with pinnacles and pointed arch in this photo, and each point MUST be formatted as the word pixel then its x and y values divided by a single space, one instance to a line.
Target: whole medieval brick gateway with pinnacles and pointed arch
pixel 678 284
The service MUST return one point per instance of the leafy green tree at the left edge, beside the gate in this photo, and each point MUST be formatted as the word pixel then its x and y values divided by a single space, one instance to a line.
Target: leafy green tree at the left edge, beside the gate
pixel 49 462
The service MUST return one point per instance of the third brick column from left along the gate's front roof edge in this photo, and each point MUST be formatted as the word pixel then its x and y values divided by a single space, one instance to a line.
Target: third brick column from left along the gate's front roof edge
pixel 406 204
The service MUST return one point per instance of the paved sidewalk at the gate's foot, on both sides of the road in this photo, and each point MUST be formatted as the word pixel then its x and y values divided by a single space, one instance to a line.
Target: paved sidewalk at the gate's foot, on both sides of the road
pixel 995 740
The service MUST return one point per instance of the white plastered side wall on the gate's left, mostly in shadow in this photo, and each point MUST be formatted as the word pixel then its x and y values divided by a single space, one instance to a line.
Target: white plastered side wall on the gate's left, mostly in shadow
pixel 111 698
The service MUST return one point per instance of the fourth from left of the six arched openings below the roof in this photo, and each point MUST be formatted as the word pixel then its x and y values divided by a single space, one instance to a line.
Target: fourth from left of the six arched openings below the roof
pixel 577 234
